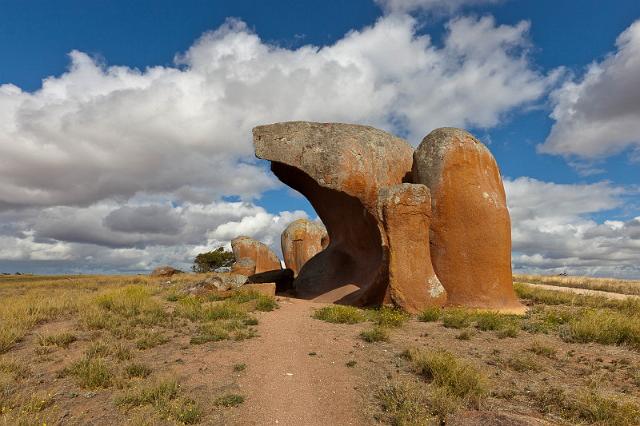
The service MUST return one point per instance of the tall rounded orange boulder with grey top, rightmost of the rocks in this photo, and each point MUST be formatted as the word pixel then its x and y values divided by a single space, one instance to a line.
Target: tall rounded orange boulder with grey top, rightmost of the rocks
pixel 470 224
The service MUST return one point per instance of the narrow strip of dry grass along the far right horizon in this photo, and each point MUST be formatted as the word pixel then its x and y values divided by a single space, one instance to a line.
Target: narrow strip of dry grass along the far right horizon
pixel 601 284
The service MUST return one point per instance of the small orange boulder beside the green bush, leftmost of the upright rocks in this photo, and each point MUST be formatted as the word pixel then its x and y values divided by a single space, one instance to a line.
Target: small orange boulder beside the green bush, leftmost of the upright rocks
pixel 264 259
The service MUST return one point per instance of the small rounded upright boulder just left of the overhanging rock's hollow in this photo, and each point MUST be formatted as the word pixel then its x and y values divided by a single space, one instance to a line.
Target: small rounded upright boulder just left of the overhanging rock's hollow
pixel 302 240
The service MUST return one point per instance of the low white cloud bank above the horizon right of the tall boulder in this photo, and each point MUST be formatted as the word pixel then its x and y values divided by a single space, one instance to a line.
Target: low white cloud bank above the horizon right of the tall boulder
pixel 552 229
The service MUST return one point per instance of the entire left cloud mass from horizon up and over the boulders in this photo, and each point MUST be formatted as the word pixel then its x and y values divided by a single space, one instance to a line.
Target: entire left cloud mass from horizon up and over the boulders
pixel 107 167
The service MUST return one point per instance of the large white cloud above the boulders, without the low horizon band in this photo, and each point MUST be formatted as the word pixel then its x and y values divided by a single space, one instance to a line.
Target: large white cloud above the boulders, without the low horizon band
pixel 109 132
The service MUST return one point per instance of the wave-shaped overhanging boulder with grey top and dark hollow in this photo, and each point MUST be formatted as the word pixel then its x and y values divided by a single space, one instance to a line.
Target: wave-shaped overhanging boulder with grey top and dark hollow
pixel 340 168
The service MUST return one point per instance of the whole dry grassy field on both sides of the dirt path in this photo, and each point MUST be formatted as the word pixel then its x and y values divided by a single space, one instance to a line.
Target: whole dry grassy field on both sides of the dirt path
pixel 129 350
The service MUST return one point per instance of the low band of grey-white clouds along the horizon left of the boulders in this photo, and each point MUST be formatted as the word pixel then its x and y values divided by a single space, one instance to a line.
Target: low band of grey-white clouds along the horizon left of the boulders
pixel 108 237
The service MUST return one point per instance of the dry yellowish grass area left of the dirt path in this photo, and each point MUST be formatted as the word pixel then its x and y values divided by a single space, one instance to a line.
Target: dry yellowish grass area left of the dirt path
pixel 95 346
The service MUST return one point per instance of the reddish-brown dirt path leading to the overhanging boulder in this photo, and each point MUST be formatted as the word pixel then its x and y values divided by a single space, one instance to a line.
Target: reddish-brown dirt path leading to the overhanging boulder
pixel 287 384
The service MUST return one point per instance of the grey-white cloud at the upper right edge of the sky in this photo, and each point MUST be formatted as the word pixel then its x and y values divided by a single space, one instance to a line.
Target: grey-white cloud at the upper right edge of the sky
pixel 599 114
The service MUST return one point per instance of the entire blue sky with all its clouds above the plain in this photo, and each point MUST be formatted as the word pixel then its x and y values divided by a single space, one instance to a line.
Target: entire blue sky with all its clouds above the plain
pixel 123 131
